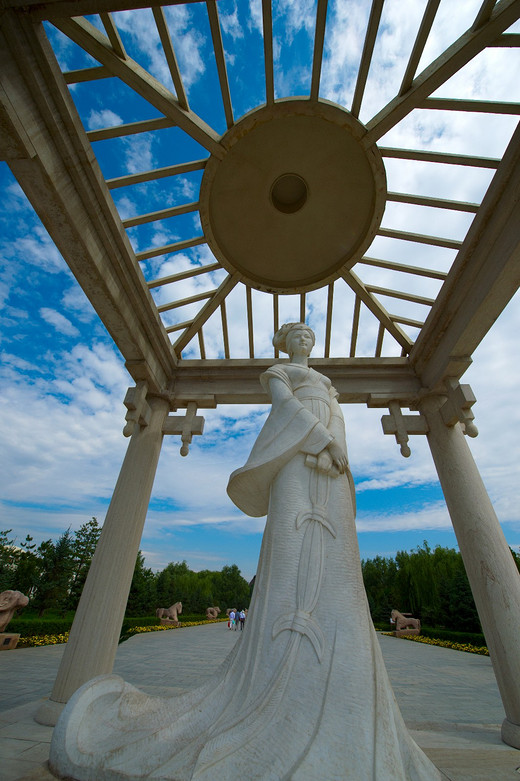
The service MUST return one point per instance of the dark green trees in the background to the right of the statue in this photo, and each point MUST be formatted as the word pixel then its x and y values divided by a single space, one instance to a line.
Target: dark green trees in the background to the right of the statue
pixel 430 584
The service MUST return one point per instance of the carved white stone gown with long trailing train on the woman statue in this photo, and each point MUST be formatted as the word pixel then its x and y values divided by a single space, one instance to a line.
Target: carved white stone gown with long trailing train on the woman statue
pixel 304 694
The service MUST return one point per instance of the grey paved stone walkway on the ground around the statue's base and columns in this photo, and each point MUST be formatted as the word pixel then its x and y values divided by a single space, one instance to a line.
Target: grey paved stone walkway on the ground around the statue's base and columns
pixel 448 699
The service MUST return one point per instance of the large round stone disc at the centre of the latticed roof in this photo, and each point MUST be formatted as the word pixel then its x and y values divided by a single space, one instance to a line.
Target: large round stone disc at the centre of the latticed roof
pixel 296 198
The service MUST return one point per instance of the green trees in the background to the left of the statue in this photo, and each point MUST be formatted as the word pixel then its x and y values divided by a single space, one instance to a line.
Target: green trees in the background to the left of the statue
pixel 52 575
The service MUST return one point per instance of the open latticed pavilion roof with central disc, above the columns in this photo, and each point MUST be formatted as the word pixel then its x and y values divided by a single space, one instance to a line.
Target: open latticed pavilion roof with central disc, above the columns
pixel 316 207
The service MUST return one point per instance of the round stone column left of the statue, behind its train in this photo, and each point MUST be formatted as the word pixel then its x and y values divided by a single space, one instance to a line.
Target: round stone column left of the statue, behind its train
pixel 95 633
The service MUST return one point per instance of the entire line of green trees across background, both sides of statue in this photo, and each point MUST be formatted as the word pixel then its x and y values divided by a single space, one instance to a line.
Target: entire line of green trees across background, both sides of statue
pixel 430 584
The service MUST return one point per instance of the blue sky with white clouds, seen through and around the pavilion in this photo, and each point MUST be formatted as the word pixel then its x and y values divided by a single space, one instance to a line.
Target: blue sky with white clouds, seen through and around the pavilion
pixel 63 380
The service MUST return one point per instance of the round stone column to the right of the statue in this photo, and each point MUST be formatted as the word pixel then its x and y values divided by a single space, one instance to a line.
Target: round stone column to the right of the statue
pixel 492 573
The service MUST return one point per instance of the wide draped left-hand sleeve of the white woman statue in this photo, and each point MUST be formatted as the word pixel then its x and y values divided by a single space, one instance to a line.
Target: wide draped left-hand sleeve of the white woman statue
pixel 289 429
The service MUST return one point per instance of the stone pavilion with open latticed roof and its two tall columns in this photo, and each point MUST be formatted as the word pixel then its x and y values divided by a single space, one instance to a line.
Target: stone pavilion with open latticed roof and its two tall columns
pixel 380 204
